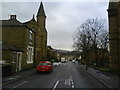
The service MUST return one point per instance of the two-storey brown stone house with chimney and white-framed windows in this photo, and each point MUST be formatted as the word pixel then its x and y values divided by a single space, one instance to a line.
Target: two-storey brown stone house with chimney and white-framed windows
pixel 18 43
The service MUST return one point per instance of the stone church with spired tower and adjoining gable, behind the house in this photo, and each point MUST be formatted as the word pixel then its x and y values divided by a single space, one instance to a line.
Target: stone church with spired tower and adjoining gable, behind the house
pixel 41 34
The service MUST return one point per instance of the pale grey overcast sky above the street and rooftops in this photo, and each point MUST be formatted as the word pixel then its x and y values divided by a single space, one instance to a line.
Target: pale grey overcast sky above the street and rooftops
pixel 62 17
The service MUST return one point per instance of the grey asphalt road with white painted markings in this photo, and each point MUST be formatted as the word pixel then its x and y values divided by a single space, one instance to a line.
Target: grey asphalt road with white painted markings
pixel 65 75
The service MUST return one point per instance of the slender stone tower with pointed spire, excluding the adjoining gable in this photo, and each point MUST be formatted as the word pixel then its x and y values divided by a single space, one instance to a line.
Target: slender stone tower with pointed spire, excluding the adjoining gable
pixel 41 21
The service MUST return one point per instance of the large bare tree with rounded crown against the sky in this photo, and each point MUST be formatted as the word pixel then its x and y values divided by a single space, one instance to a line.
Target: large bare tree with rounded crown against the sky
pixel 91 33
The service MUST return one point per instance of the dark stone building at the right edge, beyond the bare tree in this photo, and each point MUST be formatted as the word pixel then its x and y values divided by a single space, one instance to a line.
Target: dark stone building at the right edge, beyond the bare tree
pixel 114 35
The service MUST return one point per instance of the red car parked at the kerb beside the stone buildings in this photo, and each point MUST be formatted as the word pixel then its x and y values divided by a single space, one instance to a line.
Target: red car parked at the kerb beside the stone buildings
pixel 44 66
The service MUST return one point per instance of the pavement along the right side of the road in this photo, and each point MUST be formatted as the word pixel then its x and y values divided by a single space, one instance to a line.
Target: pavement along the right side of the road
pixel 107 79
